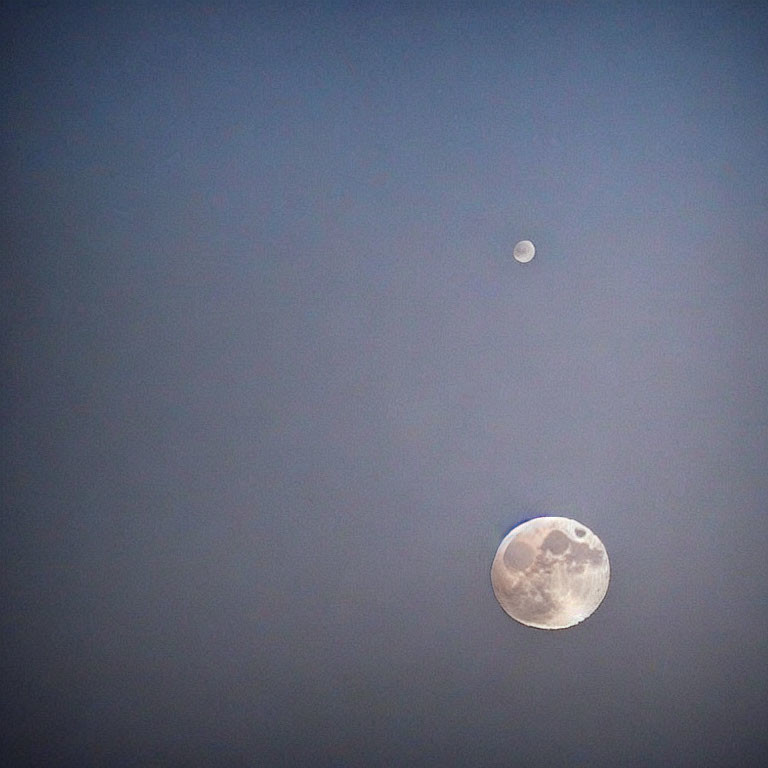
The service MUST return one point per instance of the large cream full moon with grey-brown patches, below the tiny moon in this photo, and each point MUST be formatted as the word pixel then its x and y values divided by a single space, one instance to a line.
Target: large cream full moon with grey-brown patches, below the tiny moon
pixel 550 572
